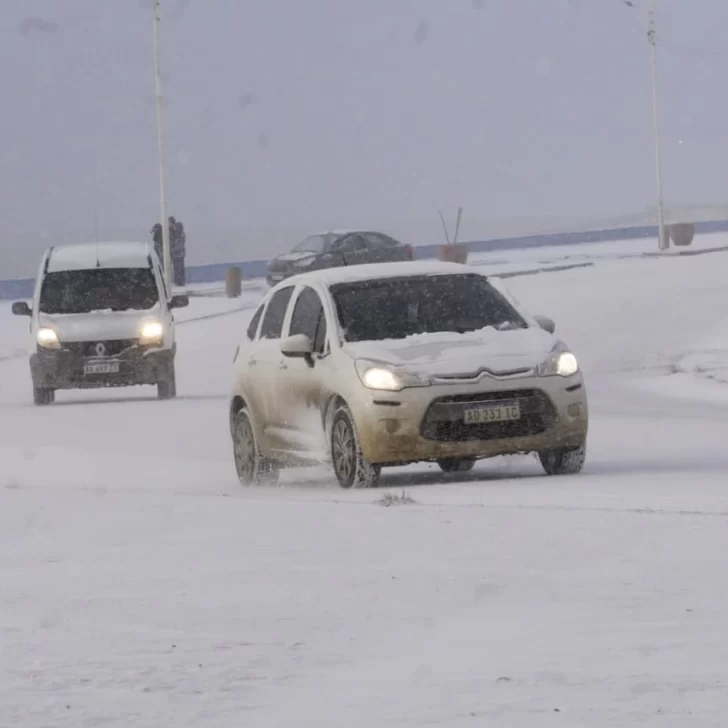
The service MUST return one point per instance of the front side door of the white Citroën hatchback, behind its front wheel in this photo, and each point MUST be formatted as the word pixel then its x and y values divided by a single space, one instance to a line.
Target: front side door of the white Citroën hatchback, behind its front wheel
pixel 302 382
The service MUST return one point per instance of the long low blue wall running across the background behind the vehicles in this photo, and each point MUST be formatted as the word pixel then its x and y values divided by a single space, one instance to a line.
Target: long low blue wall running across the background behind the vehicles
pixel 23 288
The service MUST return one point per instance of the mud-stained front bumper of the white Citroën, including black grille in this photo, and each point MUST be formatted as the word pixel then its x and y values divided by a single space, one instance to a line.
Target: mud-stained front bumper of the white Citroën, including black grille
pixel 427 423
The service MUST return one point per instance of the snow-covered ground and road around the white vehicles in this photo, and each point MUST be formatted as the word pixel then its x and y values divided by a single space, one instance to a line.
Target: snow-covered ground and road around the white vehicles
pixel 141 585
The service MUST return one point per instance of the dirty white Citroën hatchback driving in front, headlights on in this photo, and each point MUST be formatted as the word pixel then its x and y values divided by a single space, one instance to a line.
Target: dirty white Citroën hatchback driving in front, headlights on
pixel 389 364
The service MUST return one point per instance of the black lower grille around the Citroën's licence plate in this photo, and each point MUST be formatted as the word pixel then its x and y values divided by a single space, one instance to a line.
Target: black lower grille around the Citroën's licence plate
pixel 443 420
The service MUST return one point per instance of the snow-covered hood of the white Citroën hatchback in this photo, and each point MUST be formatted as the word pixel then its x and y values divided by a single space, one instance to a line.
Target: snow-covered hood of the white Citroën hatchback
pixel 449 354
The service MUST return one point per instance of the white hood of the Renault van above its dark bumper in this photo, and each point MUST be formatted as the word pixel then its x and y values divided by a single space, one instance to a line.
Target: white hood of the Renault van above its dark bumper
pixel 98 325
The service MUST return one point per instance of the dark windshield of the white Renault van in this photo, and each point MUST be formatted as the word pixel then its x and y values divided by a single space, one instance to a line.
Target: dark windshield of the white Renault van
pixel 98 289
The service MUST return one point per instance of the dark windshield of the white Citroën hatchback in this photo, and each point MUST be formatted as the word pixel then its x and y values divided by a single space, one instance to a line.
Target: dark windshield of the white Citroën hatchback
pixel 396 308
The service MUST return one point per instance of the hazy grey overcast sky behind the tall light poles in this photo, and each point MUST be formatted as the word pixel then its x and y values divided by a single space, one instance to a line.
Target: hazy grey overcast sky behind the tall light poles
pixel 284 116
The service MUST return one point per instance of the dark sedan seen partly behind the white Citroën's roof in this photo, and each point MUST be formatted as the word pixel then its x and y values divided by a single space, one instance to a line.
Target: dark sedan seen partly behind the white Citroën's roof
pixel 337 248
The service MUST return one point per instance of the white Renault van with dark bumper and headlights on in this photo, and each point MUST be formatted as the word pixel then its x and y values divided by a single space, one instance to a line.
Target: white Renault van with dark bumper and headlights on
pixel 101 317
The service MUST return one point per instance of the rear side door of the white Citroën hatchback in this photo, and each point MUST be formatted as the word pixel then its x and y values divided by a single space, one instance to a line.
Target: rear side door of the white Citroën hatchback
pixel 262 367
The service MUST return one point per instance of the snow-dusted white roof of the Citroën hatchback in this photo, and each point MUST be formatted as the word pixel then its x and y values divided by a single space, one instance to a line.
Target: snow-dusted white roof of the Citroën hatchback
pixel 376 271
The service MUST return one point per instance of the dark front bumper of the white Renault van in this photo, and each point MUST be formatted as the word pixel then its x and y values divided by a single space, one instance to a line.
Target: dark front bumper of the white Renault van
pixel 64 369
